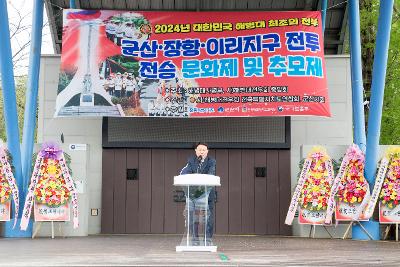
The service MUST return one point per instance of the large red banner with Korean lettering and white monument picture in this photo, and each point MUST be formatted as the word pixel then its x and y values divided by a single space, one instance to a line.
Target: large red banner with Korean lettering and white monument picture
pixel 192 64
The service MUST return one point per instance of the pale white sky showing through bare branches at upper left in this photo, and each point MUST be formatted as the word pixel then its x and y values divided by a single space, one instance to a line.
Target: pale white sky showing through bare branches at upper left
pixel 20 11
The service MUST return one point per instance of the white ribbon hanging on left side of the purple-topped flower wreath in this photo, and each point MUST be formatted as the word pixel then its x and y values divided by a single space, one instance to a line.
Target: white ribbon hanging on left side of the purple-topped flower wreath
pixel 26 214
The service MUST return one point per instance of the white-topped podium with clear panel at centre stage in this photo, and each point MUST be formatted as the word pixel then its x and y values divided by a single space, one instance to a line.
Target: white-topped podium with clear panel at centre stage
pixel 197 188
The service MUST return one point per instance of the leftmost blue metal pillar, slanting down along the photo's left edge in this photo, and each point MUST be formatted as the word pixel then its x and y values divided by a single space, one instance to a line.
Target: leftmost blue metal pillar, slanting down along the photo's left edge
pixel 10 108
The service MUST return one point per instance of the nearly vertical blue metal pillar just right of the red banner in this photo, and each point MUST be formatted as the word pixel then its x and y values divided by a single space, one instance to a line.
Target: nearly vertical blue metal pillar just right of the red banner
pixel 356 75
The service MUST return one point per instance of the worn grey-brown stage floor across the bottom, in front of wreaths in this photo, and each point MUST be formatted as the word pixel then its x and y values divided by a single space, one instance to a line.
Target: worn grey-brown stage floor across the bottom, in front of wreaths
pixel 159 250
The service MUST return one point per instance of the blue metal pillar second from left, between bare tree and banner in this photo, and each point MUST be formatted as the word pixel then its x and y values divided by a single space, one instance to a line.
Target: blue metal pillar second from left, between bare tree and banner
pixel 31 95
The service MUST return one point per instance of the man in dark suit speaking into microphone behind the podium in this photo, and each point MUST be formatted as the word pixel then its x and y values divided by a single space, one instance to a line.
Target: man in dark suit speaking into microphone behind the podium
pixel 201 163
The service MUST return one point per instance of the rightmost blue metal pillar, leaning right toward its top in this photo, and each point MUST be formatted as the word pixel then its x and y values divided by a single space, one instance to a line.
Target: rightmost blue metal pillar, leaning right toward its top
pixel 375 112
